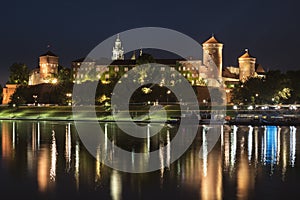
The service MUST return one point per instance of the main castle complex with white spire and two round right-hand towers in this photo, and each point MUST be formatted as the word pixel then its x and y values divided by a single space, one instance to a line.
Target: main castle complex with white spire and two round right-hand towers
pixel 194 70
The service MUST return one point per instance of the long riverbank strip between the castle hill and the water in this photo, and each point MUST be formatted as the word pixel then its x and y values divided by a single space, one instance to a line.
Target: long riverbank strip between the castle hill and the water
pixel 140 114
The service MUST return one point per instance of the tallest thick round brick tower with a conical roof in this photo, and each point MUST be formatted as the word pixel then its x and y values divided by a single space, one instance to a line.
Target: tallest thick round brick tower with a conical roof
pixel 212 54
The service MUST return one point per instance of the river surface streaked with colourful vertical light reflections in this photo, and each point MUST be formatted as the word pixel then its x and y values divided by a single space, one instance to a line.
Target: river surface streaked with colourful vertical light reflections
pixel 50 155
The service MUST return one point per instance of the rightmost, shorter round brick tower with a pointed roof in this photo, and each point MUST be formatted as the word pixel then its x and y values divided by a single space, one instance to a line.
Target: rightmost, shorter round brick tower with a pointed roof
pixel 247 66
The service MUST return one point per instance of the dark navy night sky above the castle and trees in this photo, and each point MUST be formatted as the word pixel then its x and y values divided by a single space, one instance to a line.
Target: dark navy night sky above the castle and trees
pixel 270 29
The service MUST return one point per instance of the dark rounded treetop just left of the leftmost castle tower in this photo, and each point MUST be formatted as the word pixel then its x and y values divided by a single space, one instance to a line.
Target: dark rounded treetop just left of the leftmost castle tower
pixel 19 74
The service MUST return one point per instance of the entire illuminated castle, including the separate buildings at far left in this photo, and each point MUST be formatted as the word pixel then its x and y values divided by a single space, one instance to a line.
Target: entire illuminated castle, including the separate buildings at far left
pixel 195 71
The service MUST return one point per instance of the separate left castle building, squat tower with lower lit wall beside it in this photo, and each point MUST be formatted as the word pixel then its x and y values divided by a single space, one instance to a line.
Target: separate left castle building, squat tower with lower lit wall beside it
pixel 47 71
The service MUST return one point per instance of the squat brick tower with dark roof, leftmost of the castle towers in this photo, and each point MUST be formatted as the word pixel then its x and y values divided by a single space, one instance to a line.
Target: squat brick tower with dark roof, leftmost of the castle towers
pixel 48 65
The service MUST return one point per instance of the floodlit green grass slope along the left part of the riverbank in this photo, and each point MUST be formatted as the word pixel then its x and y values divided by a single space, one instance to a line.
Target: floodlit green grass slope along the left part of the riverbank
pixel 65 113
